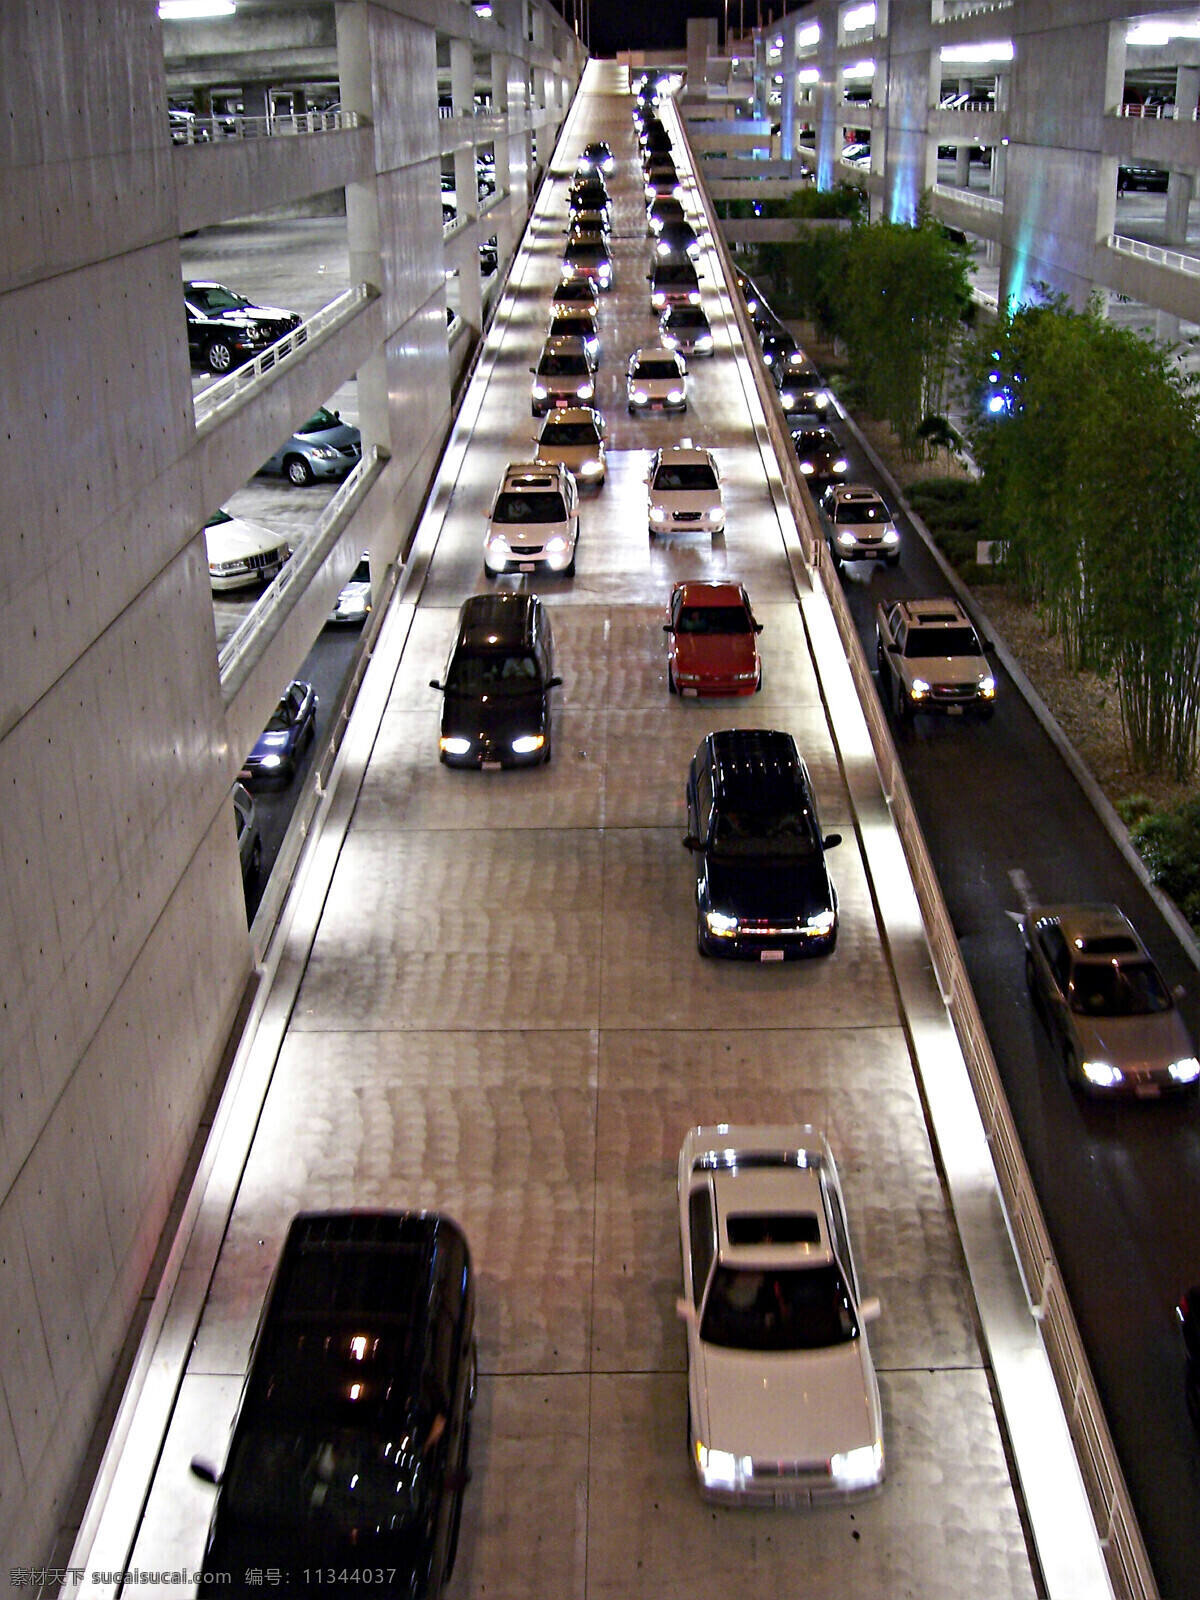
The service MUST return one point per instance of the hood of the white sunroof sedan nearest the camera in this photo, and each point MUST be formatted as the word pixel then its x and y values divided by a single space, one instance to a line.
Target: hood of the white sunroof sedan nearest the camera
pixel 790 1407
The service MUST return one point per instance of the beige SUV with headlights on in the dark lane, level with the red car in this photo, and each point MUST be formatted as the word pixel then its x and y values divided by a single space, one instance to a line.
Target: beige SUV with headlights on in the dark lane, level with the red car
pixel 930 658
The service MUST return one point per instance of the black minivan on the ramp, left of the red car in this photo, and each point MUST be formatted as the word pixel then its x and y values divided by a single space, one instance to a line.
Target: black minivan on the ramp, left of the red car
pixel 497 690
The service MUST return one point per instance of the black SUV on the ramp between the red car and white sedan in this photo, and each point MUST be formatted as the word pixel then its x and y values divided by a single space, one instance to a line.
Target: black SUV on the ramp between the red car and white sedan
pixel 762 887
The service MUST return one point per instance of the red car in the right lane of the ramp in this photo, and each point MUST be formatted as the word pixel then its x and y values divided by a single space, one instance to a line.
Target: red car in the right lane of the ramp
pixel 713 641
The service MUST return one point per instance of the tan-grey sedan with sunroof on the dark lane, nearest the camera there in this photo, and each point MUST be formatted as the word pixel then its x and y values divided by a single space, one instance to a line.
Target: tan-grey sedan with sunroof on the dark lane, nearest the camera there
pixel 1106 1004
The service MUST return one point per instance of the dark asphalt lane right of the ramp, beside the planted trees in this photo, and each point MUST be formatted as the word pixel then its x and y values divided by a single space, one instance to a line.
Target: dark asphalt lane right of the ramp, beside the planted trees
pixel 1119 1185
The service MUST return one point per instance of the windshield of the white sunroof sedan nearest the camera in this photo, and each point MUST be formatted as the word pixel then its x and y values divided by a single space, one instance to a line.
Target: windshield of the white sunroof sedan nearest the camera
pixel 794 1310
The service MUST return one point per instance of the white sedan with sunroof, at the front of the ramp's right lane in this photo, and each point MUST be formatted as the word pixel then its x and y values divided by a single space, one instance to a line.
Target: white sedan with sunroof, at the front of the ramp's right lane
pixel 783 1399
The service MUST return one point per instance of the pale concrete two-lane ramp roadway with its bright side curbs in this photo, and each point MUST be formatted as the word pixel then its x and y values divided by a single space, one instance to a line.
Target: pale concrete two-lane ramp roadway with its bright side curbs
pixel 486 998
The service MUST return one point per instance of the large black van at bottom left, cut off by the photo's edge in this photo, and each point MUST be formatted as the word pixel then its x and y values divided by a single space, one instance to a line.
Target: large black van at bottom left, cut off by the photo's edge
pixel 350 1454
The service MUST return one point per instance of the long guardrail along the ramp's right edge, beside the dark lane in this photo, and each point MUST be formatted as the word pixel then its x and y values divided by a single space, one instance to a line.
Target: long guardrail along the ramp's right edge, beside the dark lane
pixel 1100 1468
